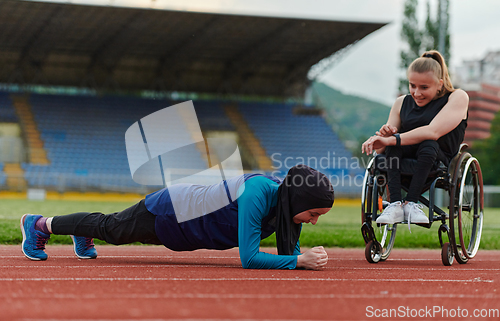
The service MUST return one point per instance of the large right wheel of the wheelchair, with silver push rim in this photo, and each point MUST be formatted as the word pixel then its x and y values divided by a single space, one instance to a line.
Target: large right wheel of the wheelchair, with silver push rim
pixel 467 208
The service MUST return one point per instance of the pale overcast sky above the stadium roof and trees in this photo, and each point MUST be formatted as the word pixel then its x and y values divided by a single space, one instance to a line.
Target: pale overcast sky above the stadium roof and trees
pixel 370 68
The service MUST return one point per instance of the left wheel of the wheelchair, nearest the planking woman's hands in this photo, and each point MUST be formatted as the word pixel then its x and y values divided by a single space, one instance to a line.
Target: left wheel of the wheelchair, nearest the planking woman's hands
pixel 374 199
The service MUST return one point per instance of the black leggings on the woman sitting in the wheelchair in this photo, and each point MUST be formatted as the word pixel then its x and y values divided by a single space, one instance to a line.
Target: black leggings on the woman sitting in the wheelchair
pixel 426 153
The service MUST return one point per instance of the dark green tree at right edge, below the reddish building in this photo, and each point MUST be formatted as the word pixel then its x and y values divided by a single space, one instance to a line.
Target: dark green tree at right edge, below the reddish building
pixel 488 154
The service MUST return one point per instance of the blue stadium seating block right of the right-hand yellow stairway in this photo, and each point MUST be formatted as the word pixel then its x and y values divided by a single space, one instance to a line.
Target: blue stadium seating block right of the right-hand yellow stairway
pixel 290 139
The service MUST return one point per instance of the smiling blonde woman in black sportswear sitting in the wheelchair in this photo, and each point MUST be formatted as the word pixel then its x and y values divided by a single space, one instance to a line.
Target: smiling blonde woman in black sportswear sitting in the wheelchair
pixel 427 125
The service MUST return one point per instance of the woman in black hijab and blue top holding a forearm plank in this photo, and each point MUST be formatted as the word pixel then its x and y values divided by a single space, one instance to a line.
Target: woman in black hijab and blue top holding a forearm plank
pixel 257 206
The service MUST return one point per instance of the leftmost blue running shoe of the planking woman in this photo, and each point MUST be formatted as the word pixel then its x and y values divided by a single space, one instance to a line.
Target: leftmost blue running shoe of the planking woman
pixel 33 240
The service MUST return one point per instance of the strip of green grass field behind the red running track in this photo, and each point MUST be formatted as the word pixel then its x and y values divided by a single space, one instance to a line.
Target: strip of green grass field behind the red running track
pixel 338 228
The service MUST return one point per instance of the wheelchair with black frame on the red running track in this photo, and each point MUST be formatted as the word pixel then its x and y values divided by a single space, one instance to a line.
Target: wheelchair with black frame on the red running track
pixel 462 223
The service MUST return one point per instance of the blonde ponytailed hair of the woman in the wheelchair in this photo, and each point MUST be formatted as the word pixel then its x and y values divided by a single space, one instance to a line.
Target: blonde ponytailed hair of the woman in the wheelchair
pixel 433 61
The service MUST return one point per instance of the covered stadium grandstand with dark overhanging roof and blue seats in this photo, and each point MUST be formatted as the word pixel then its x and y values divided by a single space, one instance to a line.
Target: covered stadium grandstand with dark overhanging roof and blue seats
pixel 216 54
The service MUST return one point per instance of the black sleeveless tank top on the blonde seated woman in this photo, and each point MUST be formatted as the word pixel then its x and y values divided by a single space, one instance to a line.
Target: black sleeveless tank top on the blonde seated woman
pixel 413 116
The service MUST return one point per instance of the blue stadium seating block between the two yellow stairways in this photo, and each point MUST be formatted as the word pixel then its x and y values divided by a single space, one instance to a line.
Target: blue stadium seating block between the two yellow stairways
pixel 84 135
